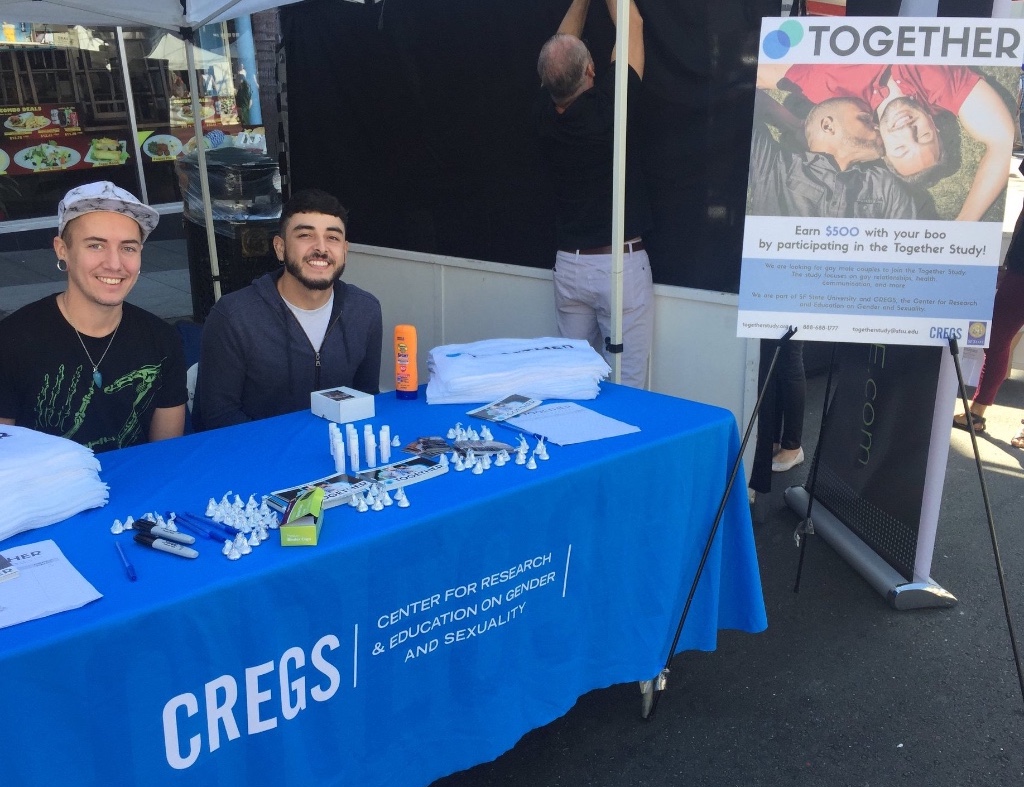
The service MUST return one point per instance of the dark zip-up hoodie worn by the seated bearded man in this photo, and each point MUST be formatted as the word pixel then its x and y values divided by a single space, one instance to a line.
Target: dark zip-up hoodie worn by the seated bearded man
pixel 257 361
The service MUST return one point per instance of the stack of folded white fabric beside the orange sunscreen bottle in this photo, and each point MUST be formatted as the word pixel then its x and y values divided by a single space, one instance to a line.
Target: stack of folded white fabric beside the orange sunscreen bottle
pixel 541 369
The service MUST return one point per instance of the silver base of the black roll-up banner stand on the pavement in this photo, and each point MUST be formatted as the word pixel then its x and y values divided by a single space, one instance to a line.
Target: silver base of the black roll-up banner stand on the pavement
pixel 901 594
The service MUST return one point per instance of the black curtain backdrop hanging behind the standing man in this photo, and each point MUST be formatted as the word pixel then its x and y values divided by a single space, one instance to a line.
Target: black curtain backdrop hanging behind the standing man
pixel 419 116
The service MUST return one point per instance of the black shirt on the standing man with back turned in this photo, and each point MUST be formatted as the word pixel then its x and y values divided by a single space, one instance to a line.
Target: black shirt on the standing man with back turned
pixel 577 147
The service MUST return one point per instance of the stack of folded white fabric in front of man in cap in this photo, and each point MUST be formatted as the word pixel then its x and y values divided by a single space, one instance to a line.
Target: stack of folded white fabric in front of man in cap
pixel 45 479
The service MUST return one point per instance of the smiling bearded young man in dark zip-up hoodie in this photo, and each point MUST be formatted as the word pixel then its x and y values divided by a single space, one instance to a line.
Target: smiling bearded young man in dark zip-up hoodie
pixel 294 331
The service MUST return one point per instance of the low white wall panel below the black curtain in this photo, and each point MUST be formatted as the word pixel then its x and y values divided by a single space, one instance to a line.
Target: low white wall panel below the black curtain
pixel 451 300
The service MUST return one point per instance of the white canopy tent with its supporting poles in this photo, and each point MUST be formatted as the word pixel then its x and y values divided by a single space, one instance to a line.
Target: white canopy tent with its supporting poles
pixel 186 17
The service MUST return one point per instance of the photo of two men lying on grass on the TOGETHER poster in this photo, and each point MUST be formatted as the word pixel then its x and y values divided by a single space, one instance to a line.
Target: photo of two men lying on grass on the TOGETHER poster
pixel 882 142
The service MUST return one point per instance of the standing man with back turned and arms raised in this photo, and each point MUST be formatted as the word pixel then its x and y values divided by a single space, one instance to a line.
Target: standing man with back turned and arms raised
pixel 577 134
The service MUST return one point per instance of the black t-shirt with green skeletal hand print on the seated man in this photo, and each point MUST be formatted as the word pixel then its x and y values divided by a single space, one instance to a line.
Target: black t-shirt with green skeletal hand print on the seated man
pixel 47 379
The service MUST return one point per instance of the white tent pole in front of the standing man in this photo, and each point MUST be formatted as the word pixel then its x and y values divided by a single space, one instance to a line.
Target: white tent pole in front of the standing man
pixel 619 182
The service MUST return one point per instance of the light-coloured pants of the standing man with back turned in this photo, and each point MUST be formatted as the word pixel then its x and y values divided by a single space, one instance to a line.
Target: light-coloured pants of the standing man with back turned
pixel 583 298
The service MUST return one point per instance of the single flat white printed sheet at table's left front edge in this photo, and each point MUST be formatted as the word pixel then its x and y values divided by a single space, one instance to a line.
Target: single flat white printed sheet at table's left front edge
pixel 47 584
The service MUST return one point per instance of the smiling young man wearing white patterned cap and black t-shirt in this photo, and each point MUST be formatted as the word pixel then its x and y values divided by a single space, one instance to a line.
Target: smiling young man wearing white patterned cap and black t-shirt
pixel 83 364
